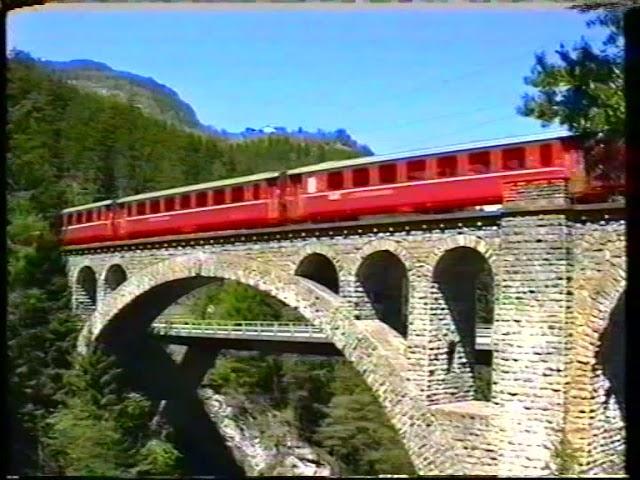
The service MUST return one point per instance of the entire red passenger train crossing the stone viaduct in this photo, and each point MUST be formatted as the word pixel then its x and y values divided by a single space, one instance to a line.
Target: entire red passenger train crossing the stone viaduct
pixel 464 176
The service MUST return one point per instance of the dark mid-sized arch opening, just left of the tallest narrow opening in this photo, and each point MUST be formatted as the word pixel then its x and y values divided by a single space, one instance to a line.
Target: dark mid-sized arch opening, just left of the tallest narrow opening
pixel 383 277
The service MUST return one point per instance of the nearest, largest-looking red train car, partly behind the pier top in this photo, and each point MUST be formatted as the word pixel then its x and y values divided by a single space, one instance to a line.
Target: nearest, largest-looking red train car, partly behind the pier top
pixel 428 180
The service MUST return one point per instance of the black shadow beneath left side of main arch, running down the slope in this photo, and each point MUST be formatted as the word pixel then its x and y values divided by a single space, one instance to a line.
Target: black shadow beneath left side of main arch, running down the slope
pixel 149 369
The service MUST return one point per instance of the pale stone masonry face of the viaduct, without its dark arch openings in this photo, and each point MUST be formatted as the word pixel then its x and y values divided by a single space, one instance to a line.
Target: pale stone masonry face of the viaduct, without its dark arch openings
pixel 545 339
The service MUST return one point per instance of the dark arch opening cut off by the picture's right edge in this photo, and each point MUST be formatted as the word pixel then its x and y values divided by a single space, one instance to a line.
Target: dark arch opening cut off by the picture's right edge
pixel 611 355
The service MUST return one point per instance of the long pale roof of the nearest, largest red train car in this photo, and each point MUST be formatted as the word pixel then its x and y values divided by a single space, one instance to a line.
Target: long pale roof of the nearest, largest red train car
pixel 429 151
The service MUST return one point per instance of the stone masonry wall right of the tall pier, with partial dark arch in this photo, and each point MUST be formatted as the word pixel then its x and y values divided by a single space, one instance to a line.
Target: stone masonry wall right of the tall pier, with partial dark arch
pixel 595 424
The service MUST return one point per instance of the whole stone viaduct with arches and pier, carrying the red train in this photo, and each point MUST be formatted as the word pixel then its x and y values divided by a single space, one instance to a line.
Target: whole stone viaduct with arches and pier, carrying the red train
pixel 395 296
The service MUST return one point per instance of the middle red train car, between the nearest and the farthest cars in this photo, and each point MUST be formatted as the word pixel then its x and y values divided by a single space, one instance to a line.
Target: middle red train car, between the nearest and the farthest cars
pixel 236 203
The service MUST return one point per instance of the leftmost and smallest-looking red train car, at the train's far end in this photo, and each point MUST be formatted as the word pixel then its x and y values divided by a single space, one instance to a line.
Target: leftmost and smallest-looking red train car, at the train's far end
pixel 91 223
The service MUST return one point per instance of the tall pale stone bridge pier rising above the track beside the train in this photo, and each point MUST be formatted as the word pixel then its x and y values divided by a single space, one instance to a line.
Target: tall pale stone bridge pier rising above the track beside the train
pixel 530 331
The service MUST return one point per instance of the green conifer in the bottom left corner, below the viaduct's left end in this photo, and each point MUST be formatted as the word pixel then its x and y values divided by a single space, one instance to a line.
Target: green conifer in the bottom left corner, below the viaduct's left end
pixel 103 429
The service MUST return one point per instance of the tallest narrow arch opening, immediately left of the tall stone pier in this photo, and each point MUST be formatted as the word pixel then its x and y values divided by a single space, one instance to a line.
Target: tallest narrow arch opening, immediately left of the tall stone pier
pixel 461 298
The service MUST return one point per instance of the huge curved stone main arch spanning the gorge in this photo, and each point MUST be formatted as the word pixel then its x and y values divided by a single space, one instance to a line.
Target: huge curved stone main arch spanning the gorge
pixel 429 443
